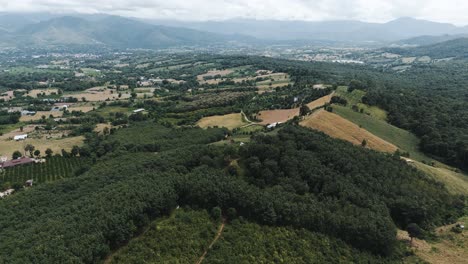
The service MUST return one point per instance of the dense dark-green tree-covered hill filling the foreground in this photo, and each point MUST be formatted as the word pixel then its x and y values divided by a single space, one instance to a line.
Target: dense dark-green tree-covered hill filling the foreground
pixel 297 178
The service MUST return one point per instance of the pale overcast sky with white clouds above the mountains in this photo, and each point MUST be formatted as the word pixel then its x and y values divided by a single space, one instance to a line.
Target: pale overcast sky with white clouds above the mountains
pixel 453 11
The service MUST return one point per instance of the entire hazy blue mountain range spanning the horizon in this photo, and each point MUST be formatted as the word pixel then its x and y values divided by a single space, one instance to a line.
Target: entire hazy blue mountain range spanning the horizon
pixel 43 29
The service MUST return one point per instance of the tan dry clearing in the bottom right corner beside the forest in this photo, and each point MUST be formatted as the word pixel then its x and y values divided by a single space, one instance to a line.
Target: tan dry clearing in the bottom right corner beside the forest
pixel 450 248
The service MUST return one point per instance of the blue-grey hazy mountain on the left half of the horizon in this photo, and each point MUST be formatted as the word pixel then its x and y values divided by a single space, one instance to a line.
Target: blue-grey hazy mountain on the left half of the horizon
pixel 110 31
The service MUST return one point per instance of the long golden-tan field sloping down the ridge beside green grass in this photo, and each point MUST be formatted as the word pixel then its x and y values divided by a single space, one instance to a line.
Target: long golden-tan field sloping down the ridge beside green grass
pixel 338 127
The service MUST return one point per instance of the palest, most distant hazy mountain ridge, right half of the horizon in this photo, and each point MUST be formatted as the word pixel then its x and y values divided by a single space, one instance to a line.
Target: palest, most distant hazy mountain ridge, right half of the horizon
pixel 352 31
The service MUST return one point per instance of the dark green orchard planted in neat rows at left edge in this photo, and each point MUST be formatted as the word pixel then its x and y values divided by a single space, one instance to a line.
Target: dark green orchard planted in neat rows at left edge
pixel 53 169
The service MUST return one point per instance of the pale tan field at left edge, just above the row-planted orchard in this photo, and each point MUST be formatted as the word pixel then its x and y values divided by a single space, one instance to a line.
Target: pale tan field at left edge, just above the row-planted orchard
pixel 10 146
